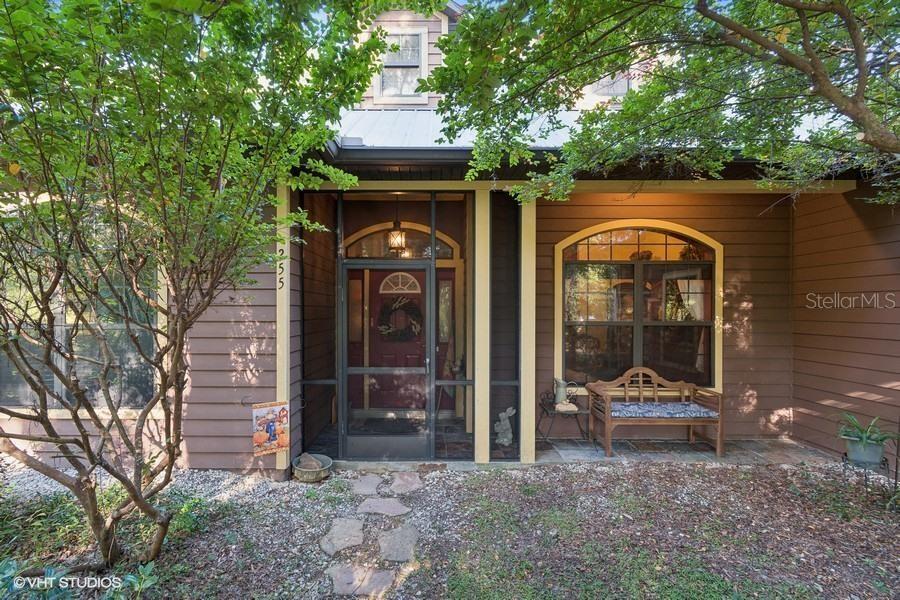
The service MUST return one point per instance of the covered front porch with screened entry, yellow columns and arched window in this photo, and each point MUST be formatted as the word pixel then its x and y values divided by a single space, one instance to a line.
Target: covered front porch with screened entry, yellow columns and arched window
pixel 694 279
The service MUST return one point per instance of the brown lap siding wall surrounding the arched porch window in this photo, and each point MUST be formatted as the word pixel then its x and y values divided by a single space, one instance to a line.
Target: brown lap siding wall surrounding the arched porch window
pixel 755 230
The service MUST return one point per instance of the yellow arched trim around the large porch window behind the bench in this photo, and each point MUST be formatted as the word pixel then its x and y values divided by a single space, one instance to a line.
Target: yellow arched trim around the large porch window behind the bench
pixel 666 226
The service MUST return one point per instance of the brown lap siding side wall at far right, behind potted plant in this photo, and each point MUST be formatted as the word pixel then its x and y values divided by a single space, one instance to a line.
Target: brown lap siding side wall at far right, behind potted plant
pixel 845 359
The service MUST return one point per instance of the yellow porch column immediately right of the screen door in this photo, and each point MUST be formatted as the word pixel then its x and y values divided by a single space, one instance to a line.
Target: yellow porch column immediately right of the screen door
pixel 482 294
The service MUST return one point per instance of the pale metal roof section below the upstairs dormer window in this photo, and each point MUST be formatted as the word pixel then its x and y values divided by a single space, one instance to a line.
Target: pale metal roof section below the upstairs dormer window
pixel 403 128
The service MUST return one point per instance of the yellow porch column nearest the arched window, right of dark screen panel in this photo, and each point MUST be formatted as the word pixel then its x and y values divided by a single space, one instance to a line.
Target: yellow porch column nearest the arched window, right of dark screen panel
pixel 527 300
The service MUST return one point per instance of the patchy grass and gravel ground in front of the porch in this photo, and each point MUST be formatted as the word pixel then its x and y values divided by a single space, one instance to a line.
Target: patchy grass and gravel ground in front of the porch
pixel 648 530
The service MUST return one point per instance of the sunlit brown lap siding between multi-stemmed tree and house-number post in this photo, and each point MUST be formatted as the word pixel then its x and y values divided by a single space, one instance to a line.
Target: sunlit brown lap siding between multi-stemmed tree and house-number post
pixel 231 353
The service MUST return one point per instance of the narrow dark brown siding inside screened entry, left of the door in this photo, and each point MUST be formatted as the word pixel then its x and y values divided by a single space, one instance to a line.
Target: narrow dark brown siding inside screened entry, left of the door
pixel 318 307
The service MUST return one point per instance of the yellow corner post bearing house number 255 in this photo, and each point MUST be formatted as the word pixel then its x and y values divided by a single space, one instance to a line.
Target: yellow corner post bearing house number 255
pixel 283 316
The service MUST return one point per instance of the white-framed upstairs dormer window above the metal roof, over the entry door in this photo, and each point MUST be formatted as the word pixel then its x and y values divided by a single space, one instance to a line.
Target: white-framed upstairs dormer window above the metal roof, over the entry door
pixel 403 65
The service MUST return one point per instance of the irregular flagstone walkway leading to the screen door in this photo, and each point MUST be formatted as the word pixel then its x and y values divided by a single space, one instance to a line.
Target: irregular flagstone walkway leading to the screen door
pixel 396 545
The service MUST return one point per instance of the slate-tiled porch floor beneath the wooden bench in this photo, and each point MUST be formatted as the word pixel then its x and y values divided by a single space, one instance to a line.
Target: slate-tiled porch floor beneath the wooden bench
pixel 739 452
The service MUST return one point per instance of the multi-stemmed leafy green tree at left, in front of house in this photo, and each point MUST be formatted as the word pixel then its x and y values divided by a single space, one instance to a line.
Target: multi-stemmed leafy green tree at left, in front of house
pixel 140 144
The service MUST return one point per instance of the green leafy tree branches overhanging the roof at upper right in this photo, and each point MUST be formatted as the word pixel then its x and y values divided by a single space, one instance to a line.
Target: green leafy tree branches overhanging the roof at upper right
pixel 809 89
